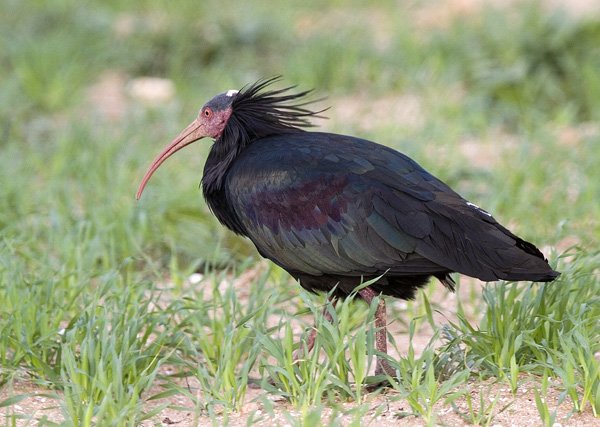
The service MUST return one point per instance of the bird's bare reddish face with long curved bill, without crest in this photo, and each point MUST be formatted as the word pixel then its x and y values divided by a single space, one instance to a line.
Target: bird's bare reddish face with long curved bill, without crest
pixel 211 122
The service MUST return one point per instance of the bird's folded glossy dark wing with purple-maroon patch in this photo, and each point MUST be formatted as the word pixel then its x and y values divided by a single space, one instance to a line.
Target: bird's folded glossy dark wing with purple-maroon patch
pixel 326 204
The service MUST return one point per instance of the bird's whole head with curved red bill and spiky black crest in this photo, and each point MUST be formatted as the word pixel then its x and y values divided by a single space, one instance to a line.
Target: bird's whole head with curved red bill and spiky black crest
pixel 239 117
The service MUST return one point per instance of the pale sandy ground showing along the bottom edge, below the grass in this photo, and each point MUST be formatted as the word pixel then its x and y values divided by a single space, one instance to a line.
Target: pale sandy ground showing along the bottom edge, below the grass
pixel 385 408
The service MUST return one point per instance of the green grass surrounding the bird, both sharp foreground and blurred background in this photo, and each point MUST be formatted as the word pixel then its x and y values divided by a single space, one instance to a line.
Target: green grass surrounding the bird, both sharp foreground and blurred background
pixel 96 310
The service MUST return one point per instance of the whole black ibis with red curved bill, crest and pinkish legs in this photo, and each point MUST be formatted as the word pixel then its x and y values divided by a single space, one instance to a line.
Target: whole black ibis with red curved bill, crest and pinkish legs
pixel 335 211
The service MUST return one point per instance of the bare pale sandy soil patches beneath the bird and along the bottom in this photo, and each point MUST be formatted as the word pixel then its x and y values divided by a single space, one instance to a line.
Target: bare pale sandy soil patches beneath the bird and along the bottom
pixel 385 407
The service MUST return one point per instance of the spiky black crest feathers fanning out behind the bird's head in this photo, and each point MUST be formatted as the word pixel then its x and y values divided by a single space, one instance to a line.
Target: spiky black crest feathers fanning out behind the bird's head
pixel 257 112
